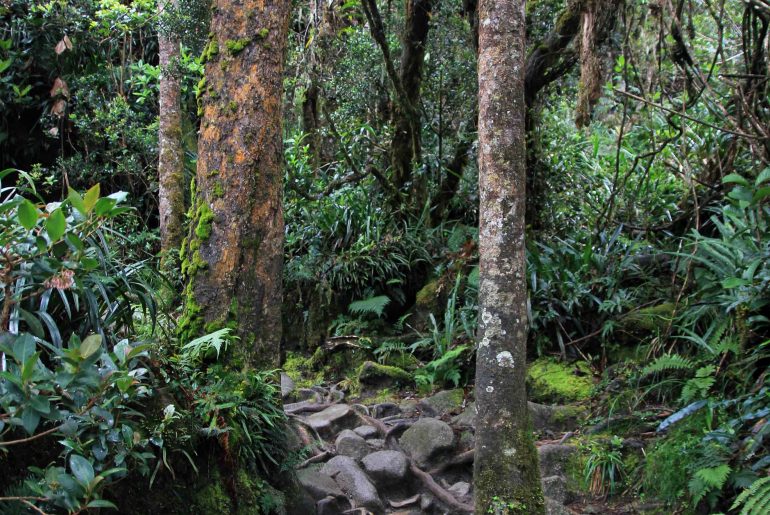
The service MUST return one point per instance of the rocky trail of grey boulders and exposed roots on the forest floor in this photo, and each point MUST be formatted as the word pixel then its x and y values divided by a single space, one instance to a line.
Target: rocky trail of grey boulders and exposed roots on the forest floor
pixel 414 456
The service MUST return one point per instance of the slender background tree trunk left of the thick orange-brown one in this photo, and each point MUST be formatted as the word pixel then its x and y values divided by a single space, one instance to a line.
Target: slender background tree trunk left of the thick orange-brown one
pixel 170 148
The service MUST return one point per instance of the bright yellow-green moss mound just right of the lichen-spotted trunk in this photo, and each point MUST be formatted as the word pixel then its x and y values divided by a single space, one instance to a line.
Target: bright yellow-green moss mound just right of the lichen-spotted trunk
pixel 553 381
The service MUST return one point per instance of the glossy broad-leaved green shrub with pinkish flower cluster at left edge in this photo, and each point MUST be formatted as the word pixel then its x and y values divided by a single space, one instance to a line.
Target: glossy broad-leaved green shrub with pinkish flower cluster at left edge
pixel 61 282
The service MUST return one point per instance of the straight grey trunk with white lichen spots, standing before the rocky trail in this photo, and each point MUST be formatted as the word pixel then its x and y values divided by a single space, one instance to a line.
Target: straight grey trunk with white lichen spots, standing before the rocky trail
pixel 506 474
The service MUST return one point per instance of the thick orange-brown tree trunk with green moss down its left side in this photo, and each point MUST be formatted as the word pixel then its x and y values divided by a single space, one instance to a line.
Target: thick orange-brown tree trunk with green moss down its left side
pixel 234 253
